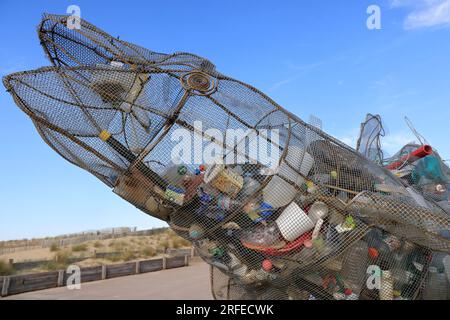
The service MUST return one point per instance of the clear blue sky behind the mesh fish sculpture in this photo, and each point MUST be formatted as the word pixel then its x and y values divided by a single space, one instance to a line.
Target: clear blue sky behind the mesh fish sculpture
pixel 312 57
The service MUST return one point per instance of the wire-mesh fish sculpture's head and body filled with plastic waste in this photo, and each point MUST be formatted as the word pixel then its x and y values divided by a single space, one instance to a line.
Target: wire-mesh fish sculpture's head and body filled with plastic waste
pixel 277 207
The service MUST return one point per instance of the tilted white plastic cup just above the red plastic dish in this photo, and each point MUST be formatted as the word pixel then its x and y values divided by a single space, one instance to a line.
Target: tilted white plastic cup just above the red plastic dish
pixel 293 222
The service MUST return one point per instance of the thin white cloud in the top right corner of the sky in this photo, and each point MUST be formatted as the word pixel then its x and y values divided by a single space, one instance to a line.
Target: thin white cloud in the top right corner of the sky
pixel 425 13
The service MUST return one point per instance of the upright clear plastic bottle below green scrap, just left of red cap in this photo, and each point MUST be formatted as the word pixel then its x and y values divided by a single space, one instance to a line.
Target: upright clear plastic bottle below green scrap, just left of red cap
pixel 355 266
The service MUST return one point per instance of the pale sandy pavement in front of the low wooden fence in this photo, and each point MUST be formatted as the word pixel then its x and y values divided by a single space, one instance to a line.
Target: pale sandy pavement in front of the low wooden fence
pixel 192 282
